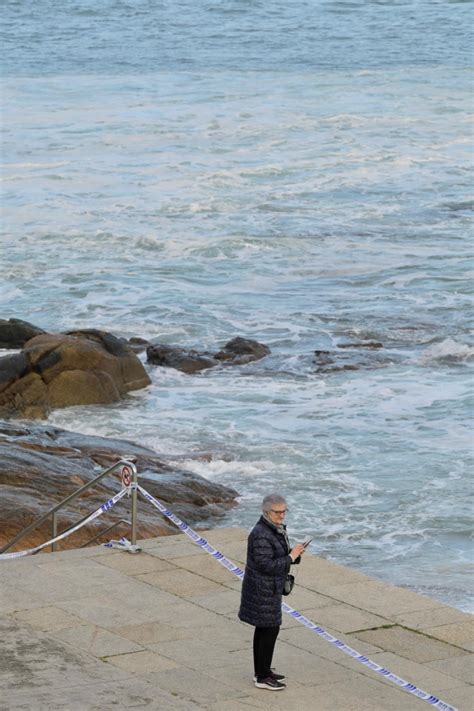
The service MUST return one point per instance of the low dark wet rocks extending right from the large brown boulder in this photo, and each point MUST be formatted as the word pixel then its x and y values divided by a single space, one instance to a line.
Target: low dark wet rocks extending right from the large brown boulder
pixel 238 351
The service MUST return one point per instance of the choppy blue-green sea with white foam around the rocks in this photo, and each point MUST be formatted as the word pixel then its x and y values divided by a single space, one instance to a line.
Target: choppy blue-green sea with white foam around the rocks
pixel 188 172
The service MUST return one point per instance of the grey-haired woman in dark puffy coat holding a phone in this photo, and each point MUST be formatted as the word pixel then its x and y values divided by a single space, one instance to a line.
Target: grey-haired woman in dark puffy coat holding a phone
pixel 269 558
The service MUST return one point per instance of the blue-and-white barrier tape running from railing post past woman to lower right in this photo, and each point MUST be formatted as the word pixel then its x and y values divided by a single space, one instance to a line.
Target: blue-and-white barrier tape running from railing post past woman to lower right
pixel 200 541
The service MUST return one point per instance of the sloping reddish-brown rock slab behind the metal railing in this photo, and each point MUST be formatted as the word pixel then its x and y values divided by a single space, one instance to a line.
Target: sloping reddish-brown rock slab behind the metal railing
pixel 42 465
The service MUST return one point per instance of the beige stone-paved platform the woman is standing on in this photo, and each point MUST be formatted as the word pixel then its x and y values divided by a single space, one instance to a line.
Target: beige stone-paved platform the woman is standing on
pixel 96 629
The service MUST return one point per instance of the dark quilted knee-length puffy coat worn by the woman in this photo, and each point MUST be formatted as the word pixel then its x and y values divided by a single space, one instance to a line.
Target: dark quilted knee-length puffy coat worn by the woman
pixel 268 563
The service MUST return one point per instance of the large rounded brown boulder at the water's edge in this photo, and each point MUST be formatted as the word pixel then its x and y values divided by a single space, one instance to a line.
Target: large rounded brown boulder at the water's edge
pixel 57 370
